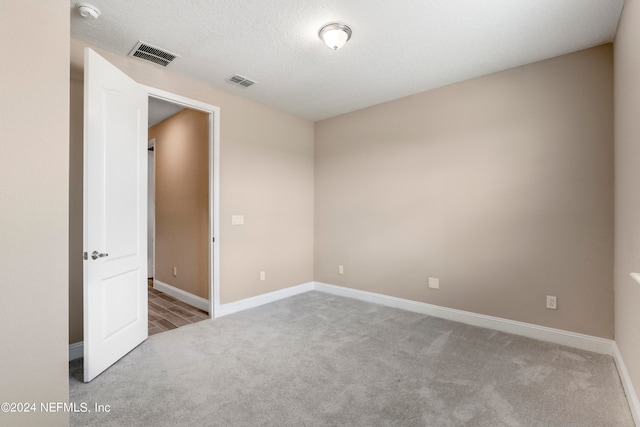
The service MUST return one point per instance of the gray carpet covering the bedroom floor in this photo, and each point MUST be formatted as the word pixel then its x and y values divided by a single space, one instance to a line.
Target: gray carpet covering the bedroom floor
pixel 316 359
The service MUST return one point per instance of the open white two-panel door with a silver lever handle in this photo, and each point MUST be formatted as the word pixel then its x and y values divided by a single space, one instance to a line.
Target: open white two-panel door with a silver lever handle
pixel 115 214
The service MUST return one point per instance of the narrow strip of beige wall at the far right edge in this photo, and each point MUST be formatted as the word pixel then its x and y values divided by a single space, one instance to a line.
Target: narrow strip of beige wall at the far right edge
pixel 627 179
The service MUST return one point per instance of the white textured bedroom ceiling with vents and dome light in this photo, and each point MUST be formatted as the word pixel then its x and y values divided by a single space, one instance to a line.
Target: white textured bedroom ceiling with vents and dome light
pixel 397 49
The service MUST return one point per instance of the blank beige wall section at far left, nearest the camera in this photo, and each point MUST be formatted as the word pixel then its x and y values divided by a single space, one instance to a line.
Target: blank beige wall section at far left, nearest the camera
pixel 34 213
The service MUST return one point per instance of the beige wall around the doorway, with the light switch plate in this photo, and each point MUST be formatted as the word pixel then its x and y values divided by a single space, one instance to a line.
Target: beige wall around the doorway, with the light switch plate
pixel 266 174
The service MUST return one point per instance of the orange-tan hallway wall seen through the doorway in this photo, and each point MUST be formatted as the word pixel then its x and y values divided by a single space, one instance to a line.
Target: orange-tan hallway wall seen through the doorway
pixel 182 201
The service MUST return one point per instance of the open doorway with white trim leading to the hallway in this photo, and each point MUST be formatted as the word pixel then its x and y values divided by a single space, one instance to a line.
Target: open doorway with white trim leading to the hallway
pixel 182 215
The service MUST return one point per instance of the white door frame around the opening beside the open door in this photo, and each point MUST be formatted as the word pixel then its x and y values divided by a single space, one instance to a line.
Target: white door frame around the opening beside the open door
pixel 214 186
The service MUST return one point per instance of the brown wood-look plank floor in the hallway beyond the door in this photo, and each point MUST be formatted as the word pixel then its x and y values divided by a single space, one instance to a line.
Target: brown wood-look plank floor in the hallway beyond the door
pixel 166 312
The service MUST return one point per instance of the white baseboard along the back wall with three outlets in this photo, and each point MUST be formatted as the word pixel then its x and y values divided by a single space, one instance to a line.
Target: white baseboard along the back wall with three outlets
pixel 542 333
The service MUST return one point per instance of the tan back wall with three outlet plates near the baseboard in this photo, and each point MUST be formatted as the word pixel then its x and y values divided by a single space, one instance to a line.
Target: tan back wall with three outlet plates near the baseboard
pixel 501 187
